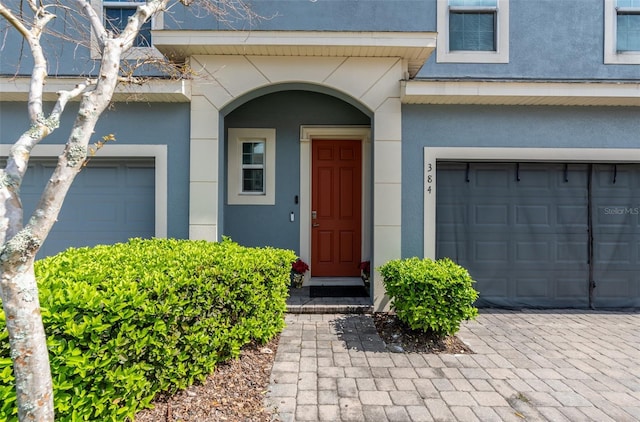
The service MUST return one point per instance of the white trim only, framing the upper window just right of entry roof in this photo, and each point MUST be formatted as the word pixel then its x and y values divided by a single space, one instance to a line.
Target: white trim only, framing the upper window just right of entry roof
pixel 501 55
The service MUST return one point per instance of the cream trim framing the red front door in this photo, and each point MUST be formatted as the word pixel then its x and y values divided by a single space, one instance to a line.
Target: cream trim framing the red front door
pixel 307 134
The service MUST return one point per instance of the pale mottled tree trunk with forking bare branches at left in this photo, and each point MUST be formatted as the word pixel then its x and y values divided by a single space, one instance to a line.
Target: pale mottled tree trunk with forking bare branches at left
pixel 20 244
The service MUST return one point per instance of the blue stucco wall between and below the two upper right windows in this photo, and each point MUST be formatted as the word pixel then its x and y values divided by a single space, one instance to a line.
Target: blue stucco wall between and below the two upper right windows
pixel 548 40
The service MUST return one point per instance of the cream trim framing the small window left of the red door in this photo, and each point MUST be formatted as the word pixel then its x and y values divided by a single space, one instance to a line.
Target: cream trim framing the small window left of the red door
pixel 235 196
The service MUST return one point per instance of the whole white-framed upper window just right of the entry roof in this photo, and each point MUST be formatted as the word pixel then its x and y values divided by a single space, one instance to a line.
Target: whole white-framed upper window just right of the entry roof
pixel 473 31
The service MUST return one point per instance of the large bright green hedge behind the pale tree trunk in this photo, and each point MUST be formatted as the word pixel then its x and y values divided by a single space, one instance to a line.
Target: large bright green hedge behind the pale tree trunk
pixel 127 321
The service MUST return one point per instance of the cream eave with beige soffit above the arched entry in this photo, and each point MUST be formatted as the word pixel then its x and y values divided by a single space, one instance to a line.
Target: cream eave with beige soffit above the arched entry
pixel 413 47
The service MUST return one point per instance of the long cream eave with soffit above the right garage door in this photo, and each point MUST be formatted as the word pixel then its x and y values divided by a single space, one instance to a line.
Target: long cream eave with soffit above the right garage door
pixel 522 93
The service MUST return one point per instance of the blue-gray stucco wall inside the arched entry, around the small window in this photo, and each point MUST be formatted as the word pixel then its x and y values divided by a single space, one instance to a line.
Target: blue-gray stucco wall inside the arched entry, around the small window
pixel 286 111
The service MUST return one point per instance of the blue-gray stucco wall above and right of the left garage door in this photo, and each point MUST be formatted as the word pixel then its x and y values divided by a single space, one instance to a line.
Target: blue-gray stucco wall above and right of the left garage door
pixel 135 123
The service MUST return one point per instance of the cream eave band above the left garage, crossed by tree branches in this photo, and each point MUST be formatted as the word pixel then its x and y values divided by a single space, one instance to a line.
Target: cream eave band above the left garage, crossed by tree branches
pixel 153 90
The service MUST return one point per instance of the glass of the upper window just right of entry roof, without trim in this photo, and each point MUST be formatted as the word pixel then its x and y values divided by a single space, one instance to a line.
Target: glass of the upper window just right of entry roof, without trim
pixel 472 31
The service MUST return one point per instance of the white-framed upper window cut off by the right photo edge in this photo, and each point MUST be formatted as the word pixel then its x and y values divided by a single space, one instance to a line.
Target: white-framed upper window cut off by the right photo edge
pixel 622 32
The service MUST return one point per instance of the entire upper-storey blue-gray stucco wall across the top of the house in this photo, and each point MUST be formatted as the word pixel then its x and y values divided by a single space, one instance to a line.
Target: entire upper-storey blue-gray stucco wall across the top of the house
pixel 549 39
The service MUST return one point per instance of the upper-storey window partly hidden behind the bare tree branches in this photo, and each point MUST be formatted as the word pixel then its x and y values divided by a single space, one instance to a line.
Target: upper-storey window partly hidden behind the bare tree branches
pixel 115 16
